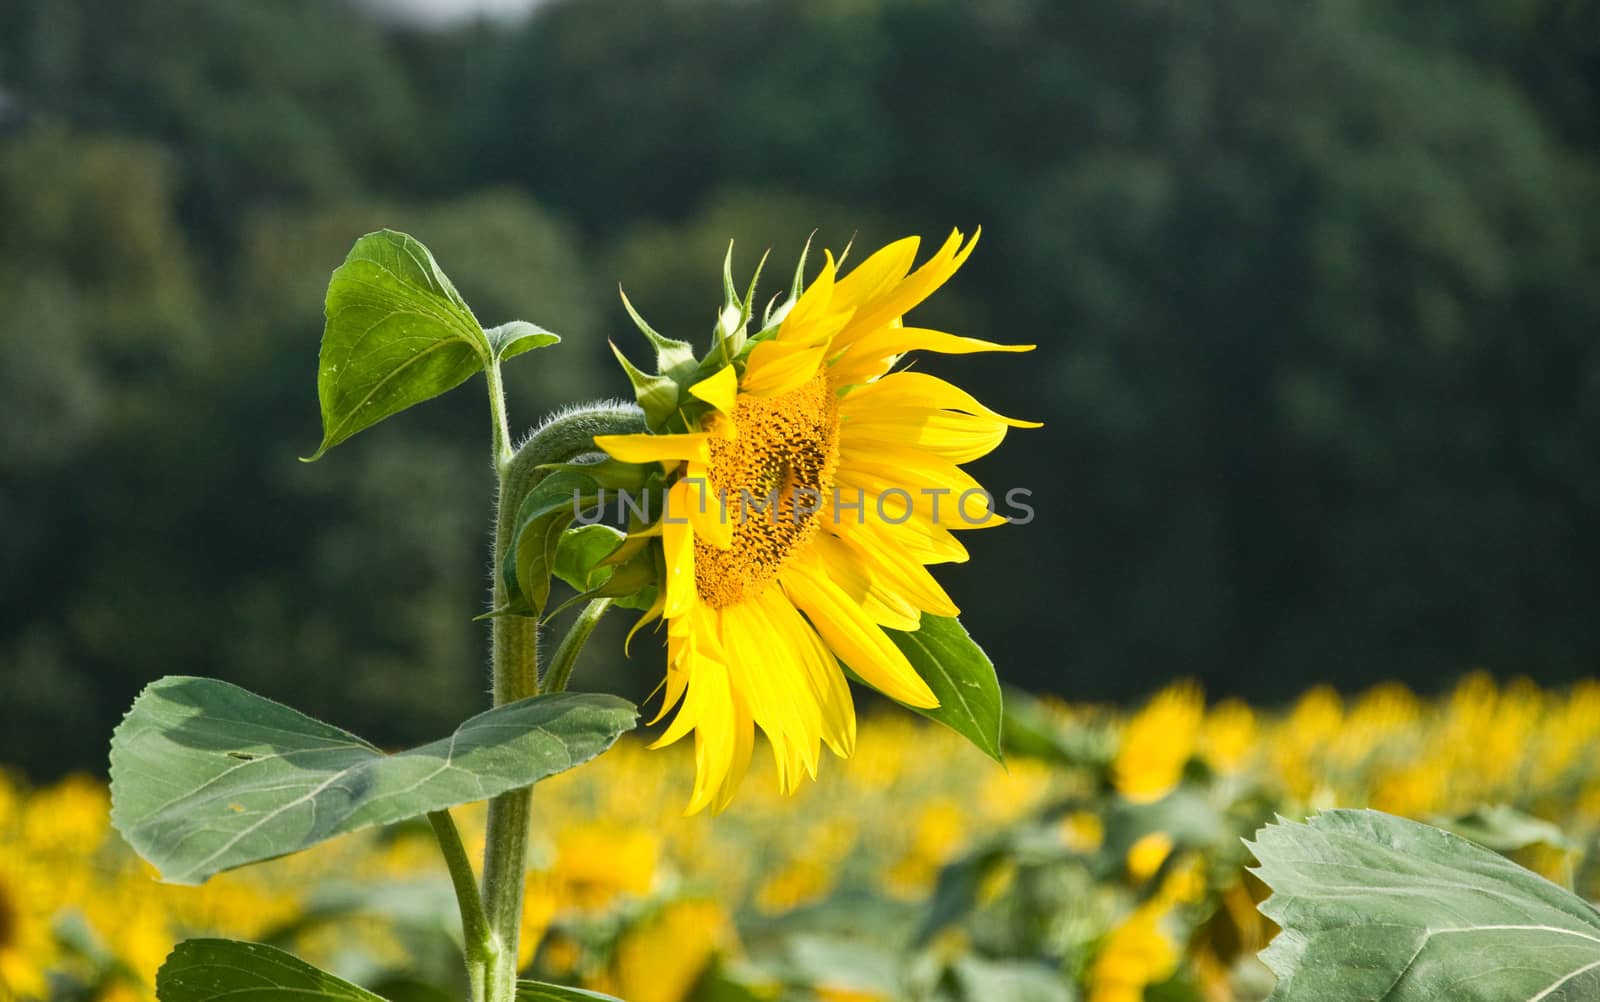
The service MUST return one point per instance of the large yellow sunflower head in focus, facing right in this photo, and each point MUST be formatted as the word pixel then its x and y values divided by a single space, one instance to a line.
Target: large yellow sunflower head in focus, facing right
pixel 807 489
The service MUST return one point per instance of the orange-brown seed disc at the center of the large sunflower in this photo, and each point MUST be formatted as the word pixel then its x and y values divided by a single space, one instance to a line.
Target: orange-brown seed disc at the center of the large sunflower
pixel 775 475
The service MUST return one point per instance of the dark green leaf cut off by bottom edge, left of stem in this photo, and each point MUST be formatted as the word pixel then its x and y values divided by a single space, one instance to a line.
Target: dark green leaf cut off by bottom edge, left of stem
pixel 207 971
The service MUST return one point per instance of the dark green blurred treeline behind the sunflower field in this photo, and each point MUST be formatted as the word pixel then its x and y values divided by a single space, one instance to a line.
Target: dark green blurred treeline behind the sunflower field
pixel 1316 287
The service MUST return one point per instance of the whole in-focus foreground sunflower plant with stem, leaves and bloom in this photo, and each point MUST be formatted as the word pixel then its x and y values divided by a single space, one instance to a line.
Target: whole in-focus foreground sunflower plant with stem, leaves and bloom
pixel 209 777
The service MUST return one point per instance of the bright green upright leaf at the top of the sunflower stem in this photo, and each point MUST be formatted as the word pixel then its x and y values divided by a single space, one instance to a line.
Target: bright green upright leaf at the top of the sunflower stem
pixel 398 334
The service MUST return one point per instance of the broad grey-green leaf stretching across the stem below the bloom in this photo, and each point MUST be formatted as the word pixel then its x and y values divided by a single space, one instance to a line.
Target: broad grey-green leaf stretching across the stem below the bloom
pixel 207 777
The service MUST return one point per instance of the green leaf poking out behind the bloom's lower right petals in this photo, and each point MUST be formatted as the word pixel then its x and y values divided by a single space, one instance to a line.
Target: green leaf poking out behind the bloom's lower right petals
pixel 961 676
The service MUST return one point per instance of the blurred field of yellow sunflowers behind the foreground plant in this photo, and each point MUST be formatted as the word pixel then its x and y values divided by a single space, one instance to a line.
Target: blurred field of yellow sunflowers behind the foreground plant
pixel 1105 862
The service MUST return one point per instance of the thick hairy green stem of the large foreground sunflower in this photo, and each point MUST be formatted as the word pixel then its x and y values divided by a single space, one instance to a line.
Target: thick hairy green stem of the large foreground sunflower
pixel 514 655
